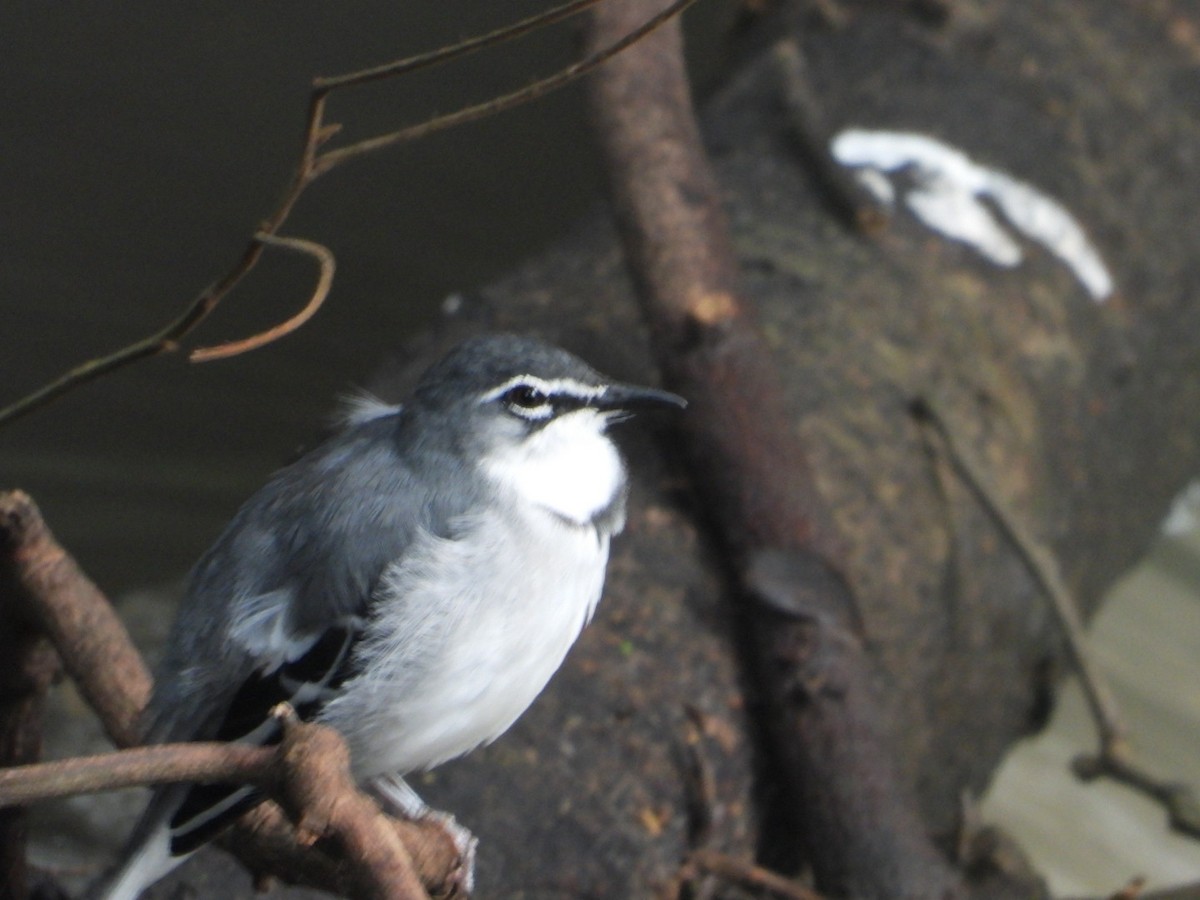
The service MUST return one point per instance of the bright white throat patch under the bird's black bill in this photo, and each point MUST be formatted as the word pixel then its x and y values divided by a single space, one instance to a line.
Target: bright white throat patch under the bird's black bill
pixel 569 467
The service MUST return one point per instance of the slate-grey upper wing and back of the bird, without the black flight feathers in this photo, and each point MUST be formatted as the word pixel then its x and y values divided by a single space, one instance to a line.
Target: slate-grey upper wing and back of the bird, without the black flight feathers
pixel 301 556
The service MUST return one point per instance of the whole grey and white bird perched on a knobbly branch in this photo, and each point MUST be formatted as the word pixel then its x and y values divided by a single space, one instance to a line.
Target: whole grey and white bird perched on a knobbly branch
pixel 415 583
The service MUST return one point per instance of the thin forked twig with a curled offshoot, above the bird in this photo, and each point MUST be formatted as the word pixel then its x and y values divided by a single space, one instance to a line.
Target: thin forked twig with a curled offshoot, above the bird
pixel 313 165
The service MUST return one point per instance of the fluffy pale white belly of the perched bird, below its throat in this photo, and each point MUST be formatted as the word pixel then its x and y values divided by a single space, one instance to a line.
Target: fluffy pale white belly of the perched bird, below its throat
pixel 465 641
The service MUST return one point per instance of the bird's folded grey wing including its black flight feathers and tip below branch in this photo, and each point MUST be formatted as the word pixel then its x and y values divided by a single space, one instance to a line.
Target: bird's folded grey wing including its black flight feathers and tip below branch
pixel 275 609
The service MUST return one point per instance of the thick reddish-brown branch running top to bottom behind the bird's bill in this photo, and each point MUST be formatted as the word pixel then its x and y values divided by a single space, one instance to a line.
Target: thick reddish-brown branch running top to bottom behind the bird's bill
pixel 859 821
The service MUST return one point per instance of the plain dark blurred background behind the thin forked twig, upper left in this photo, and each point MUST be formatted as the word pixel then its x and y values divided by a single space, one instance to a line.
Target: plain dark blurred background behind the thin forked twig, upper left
pixel 140 148
